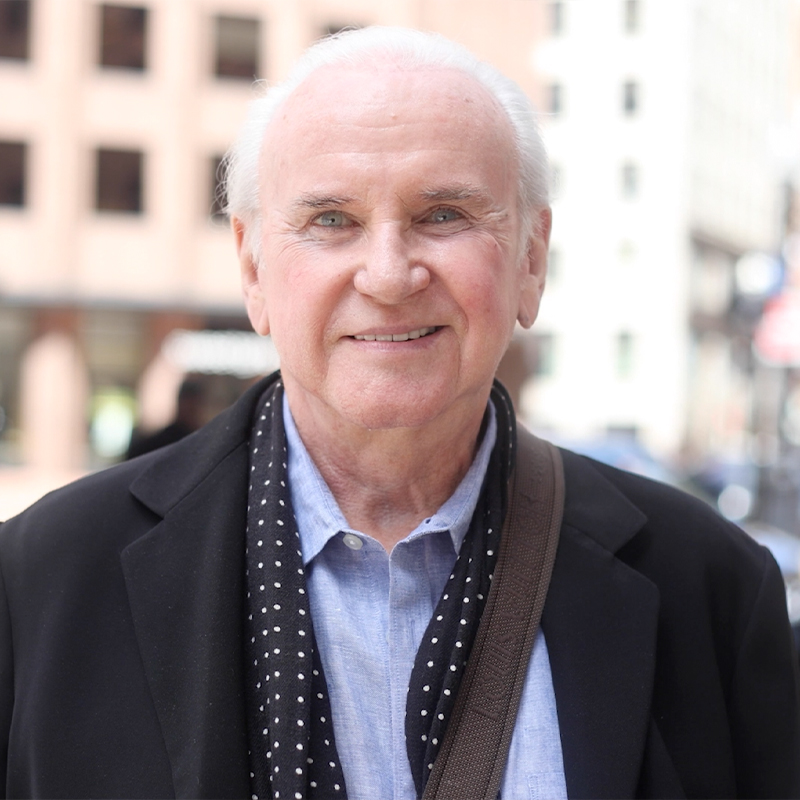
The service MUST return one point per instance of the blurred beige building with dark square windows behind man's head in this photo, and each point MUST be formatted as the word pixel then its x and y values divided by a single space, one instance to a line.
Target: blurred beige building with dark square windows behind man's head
pixel 113 119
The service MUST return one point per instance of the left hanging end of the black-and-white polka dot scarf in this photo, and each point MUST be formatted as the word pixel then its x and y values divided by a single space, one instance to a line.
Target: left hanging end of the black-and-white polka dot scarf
pixel 292 746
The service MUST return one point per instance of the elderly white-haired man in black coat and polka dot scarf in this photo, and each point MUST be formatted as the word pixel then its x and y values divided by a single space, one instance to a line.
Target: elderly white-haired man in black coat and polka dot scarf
pixel 284 603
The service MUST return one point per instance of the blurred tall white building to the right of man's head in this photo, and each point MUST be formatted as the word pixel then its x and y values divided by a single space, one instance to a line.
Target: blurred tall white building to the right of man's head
pixel 661 123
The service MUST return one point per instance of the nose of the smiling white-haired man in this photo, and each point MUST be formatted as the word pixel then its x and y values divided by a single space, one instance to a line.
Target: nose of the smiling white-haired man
pixel 389 273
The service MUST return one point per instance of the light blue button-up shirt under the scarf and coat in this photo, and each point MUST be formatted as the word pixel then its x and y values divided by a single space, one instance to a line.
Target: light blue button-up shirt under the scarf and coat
pixel 370 610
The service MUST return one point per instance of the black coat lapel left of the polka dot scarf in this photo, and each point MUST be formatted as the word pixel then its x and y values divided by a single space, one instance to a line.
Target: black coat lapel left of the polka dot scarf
pixel 185 583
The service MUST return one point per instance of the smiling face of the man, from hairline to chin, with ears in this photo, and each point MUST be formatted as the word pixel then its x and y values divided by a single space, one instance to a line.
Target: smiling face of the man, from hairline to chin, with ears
pixel 393 269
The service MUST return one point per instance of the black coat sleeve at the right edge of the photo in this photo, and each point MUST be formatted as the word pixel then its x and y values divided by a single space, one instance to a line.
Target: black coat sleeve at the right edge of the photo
pixel 765 697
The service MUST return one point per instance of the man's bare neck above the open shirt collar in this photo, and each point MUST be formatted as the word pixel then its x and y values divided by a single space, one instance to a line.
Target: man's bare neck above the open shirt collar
pixel 387 481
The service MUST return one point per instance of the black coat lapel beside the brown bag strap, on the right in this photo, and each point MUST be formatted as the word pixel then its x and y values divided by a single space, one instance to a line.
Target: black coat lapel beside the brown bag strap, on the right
pixel 600 624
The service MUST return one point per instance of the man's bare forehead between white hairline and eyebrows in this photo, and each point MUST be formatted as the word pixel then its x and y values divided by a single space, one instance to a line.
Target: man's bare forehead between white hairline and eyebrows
pixel 382 108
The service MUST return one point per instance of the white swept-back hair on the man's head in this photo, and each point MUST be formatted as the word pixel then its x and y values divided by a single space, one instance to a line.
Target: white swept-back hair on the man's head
pixel 410 49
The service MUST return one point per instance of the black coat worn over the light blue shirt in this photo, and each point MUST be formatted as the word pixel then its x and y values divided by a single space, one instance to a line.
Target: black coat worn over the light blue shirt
pixel 121 616
